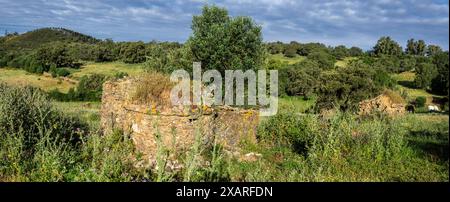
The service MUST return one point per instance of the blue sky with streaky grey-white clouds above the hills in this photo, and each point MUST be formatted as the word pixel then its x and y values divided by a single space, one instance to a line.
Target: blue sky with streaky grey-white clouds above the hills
pixel 348 22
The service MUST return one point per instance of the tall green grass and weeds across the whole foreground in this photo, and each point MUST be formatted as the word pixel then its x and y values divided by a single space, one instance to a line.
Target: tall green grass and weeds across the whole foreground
pixel 39 143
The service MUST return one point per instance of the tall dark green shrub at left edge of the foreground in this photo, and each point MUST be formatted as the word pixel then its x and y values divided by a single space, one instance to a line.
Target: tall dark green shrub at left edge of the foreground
pixel 29 111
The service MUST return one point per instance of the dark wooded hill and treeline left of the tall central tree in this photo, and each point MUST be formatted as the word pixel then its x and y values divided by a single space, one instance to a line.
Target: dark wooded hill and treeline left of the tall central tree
pixel 40 50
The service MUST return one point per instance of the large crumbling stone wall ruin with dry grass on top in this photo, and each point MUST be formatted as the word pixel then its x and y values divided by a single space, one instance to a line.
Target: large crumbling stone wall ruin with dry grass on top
pixel 176 125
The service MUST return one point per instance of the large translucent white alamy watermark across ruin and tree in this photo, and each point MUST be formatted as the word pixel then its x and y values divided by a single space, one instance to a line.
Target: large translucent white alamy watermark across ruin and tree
pixel 258 93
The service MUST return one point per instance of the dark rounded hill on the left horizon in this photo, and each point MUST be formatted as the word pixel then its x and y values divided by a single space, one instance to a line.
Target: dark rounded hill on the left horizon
pixel 36 38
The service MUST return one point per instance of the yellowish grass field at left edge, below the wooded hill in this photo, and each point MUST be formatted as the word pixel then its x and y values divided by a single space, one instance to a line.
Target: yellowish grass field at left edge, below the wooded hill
pixel 20 77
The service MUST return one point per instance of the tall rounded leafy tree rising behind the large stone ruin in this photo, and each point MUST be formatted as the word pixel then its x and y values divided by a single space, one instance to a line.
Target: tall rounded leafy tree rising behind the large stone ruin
pixel 222 42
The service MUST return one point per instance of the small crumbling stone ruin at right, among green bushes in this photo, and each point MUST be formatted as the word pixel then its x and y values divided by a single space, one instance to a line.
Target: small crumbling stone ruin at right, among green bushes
pixel 381 103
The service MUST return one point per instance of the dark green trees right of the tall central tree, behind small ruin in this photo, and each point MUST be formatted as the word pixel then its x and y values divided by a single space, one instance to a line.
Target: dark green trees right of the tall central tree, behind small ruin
pixel 429 62
